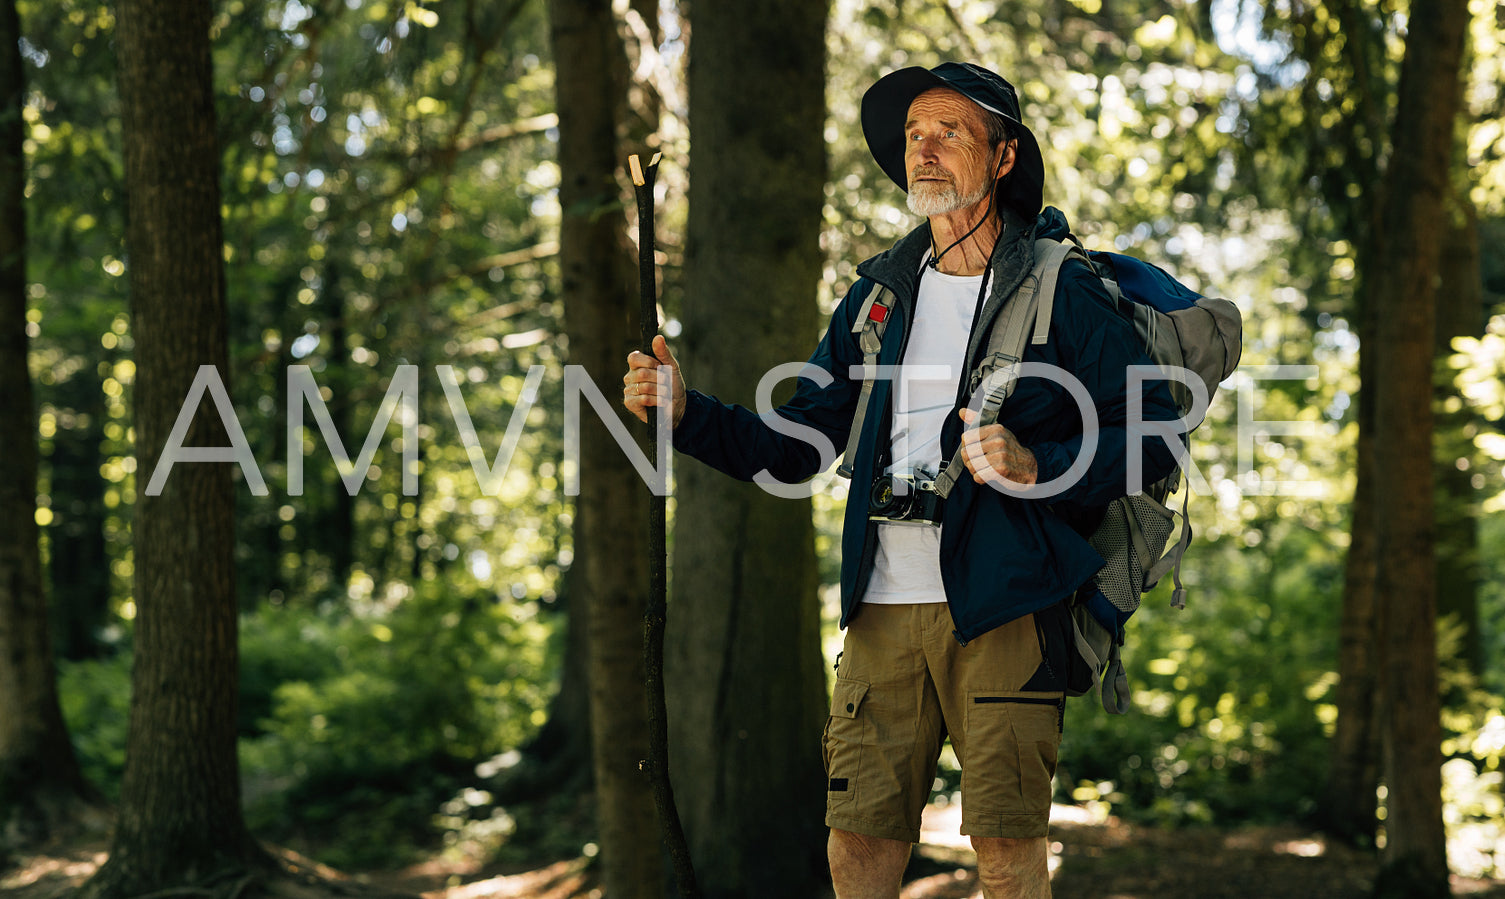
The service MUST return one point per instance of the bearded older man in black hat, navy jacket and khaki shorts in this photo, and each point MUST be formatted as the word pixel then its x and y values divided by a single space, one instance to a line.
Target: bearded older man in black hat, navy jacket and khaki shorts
pixel 955 611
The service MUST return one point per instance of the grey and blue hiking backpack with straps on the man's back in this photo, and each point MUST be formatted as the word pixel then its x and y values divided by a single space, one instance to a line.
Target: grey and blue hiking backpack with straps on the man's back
pixel 1181 331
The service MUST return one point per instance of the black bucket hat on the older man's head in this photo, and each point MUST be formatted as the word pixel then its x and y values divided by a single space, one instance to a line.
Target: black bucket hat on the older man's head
pixel 886 109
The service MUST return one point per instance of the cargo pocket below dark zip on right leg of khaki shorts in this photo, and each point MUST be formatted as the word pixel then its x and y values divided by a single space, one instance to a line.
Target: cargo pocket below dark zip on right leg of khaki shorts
pixel 1012 745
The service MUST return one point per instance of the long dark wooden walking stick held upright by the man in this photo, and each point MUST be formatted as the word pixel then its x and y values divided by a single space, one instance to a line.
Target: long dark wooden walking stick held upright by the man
pixel 657 764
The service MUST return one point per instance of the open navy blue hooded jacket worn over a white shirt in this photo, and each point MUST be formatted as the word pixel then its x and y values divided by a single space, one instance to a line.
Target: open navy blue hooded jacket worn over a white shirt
pixel 1002 556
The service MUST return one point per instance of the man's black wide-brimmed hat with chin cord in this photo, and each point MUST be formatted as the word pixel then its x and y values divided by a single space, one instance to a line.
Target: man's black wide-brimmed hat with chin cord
pixel 886 109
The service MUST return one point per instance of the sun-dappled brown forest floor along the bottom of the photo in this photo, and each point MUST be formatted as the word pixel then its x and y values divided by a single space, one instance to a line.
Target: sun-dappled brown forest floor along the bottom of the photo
pixel 1089 861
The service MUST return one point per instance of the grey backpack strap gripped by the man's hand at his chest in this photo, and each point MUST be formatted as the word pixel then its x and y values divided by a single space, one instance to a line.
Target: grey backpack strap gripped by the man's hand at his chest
pixel 1026 317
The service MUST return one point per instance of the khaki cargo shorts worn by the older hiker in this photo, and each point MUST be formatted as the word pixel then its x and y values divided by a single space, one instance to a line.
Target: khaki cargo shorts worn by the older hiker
pixel 904 686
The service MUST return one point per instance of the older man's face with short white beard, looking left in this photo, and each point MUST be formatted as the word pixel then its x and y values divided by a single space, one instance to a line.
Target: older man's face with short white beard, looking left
pixel 947 154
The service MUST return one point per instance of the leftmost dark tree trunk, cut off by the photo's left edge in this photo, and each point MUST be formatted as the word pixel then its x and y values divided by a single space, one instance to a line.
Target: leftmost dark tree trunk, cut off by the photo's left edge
pixel 40 782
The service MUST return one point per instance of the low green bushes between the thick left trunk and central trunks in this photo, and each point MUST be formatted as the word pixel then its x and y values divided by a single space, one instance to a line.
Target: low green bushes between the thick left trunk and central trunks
pixel 382 718
